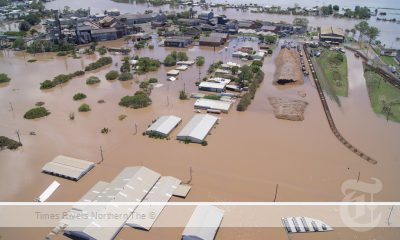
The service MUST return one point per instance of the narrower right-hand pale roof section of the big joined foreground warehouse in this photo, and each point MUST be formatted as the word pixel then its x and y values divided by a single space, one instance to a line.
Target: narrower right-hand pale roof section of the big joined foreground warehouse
pixel 161 192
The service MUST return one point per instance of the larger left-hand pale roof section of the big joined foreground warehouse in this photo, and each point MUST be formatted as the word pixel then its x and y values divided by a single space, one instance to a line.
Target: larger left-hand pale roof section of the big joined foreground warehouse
pixel 131 185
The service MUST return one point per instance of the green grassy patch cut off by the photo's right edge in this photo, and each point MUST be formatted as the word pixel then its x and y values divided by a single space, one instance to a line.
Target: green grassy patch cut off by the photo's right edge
pixel 384 97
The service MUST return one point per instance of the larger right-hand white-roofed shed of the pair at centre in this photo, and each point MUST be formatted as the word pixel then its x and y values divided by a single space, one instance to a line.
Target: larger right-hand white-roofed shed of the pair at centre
pixel 197 129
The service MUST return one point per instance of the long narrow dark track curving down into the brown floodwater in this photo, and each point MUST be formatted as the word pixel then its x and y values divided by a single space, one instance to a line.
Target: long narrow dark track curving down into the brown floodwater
pixel 329 115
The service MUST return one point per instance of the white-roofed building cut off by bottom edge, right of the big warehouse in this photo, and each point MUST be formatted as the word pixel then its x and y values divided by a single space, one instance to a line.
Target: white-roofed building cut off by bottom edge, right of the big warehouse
pixel 204 223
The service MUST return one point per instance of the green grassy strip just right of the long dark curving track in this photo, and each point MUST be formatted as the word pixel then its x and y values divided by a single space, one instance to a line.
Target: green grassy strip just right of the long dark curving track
pixel 334 70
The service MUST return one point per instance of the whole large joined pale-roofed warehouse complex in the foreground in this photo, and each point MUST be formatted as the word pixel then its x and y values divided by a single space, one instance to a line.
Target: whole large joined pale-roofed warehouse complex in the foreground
pixel 133 185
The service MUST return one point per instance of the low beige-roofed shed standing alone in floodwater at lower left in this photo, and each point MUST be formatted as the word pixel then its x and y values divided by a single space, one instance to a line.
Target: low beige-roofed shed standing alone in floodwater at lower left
pixel 67 167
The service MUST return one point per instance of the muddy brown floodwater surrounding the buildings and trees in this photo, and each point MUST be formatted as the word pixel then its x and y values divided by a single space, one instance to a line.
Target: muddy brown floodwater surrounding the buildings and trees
pixel 248 153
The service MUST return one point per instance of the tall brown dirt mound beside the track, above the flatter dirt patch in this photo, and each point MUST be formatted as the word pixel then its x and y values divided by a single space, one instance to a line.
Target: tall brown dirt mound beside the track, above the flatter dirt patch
pixel 288 68
